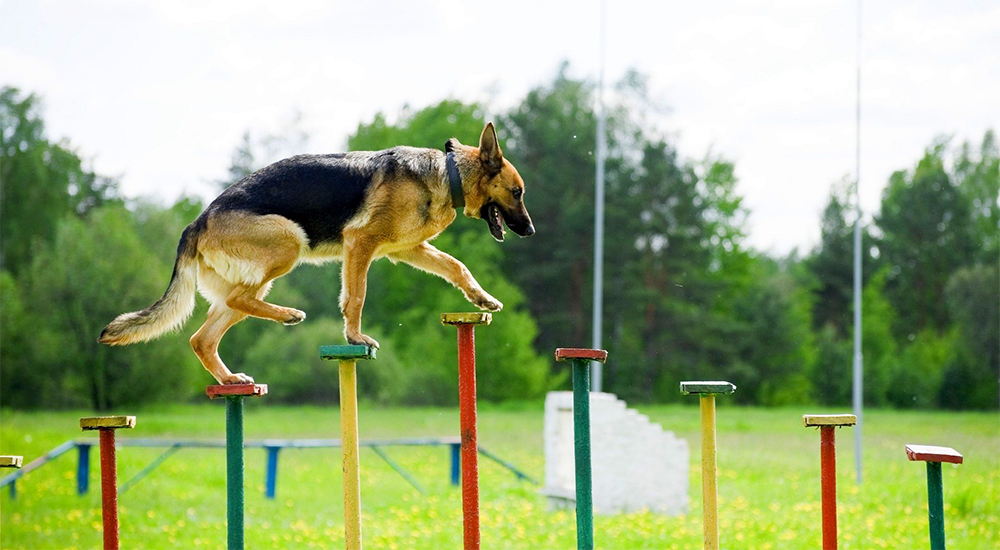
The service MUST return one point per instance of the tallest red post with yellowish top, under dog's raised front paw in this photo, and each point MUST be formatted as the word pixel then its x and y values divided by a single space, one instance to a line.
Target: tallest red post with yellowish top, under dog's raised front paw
pixel 466 323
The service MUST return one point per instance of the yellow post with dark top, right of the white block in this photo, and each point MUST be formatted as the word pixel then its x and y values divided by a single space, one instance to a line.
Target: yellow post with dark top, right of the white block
pixel 707 390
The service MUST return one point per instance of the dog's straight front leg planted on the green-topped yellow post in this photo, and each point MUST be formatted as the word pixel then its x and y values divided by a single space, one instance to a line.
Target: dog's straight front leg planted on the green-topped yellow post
pixel 358 253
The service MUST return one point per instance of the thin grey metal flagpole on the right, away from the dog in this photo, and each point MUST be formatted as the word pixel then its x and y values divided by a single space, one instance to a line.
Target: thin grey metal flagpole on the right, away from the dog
pixel 858 358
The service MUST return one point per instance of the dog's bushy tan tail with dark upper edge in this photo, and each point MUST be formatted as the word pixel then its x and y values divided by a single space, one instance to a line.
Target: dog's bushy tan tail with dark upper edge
pixel 172 309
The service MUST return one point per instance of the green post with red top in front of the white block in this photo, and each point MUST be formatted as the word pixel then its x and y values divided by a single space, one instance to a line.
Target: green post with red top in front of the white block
pixel 581 359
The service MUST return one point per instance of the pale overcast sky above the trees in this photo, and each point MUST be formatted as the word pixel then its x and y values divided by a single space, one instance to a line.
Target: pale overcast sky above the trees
pixel 160 92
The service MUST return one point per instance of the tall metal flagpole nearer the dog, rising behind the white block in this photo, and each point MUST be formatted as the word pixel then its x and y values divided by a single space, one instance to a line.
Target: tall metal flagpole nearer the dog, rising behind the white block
pixel 596 367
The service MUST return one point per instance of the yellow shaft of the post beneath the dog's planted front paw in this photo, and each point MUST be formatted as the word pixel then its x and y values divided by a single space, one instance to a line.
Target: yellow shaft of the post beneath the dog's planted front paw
pixel 349 444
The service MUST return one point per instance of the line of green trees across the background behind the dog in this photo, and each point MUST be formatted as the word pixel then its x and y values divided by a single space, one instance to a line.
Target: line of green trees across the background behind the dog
pixel 685 296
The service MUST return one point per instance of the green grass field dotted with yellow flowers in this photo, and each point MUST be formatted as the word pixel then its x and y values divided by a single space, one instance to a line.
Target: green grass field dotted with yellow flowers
pixel 768 483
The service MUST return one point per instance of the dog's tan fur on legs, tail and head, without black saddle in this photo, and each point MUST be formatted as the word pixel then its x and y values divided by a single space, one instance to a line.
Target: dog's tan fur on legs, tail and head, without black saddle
pixel 237 255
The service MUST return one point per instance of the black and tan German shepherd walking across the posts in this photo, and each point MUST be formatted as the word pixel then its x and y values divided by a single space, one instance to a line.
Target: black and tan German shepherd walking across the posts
pixel 354 207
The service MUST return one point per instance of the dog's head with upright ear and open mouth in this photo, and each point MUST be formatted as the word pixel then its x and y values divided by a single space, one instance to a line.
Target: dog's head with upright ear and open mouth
pixel 495 191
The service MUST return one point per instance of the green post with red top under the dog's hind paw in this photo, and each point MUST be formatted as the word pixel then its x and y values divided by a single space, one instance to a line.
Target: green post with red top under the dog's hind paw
pixel 234 394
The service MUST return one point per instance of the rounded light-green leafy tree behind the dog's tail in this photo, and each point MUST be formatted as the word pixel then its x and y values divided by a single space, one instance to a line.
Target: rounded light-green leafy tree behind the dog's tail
pixel 75 286
